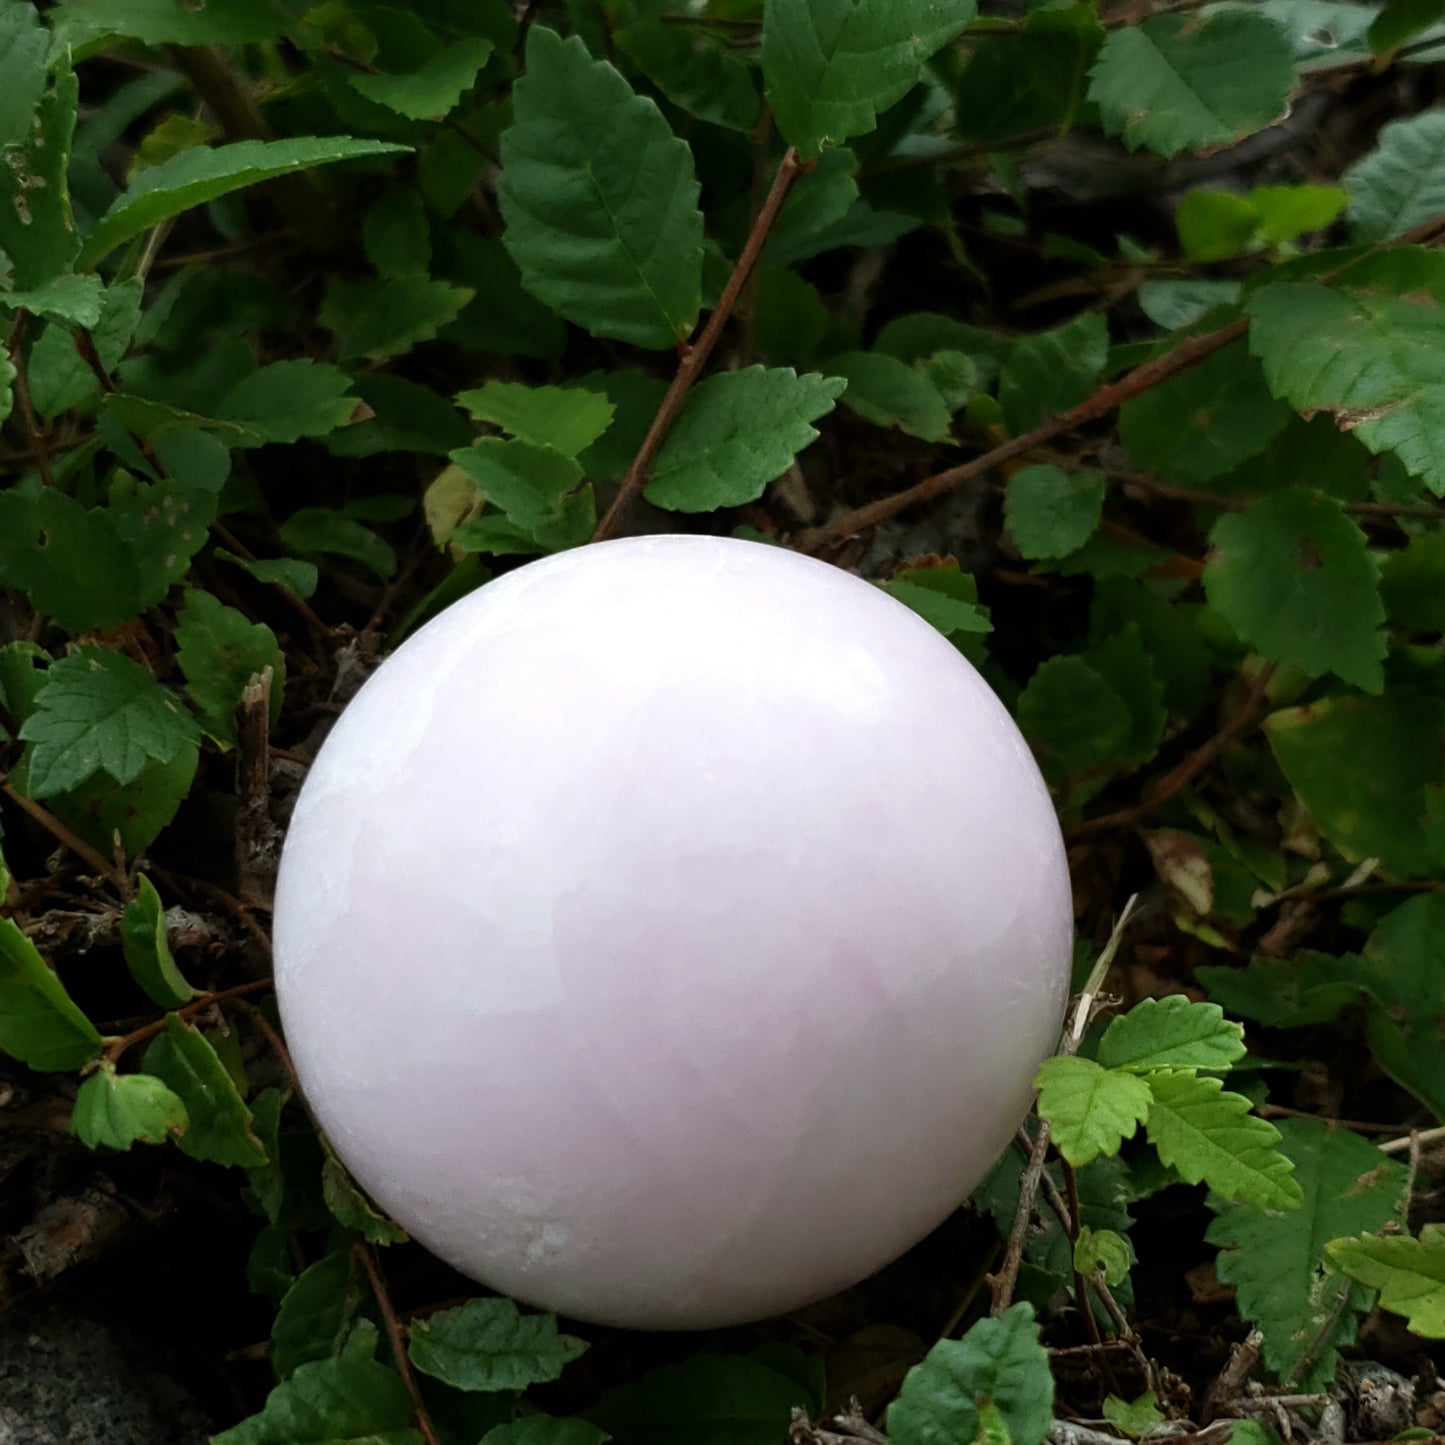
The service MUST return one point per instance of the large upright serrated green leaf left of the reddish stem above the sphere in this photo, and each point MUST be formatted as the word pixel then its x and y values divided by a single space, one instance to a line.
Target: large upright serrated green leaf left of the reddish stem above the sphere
pixel 600 199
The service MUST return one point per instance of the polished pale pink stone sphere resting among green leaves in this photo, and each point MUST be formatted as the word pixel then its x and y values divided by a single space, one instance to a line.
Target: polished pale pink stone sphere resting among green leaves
pixel 670 931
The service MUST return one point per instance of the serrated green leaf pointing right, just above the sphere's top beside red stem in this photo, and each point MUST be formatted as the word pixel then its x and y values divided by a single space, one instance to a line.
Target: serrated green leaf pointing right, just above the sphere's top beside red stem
pixel 736 433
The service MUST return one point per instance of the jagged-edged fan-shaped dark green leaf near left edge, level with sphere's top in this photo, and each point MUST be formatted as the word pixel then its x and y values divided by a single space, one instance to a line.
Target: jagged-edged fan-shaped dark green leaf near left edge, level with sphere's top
pixel 100 712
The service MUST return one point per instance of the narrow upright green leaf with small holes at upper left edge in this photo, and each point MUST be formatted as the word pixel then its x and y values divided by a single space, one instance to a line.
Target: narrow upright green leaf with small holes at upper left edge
pixel 37 228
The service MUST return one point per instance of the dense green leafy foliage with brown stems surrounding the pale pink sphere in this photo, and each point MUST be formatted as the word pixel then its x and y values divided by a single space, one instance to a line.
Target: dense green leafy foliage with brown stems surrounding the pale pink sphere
pixel 320 316
